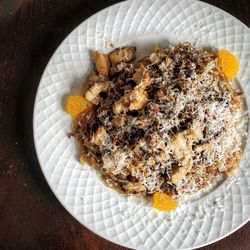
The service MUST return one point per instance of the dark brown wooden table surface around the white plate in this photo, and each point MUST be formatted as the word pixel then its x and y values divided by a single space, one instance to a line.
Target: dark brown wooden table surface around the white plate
pixel 30 215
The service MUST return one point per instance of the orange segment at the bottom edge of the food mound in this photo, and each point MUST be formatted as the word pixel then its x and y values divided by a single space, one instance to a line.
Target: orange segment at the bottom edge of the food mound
pixel 163 202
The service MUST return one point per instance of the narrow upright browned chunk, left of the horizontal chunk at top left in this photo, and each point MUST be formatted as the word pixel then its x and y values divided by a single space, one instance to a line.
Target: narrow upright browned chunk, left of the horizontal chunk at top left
pixel 101 63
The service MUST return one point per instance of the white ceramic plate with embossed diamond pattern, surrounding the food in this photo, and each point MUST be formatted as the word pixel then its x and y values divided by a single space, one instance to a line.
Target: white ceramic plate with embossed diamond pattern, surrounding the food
pixel 126 221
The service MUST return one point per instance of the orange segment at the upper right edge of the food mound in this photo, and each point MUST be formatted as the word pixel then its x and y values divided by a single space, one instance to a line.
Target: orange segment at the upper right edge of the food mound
pixel 229 63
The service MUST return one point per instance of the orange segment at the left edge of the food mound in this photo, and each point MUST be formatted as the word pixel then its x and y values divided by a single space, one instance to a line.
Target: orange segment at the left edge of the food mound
pixel 76 105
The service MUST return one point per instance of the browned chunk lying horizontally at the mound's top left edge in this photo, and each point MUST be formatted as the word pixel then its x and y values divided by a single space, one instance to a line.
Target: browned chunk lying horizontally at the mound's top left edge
pixel 126 54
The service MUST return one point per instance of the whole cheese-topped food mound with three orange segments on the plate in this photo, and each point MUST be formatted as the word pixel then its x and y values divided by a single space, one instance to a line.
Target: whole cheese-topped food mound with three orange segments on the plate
pixel 163 127
